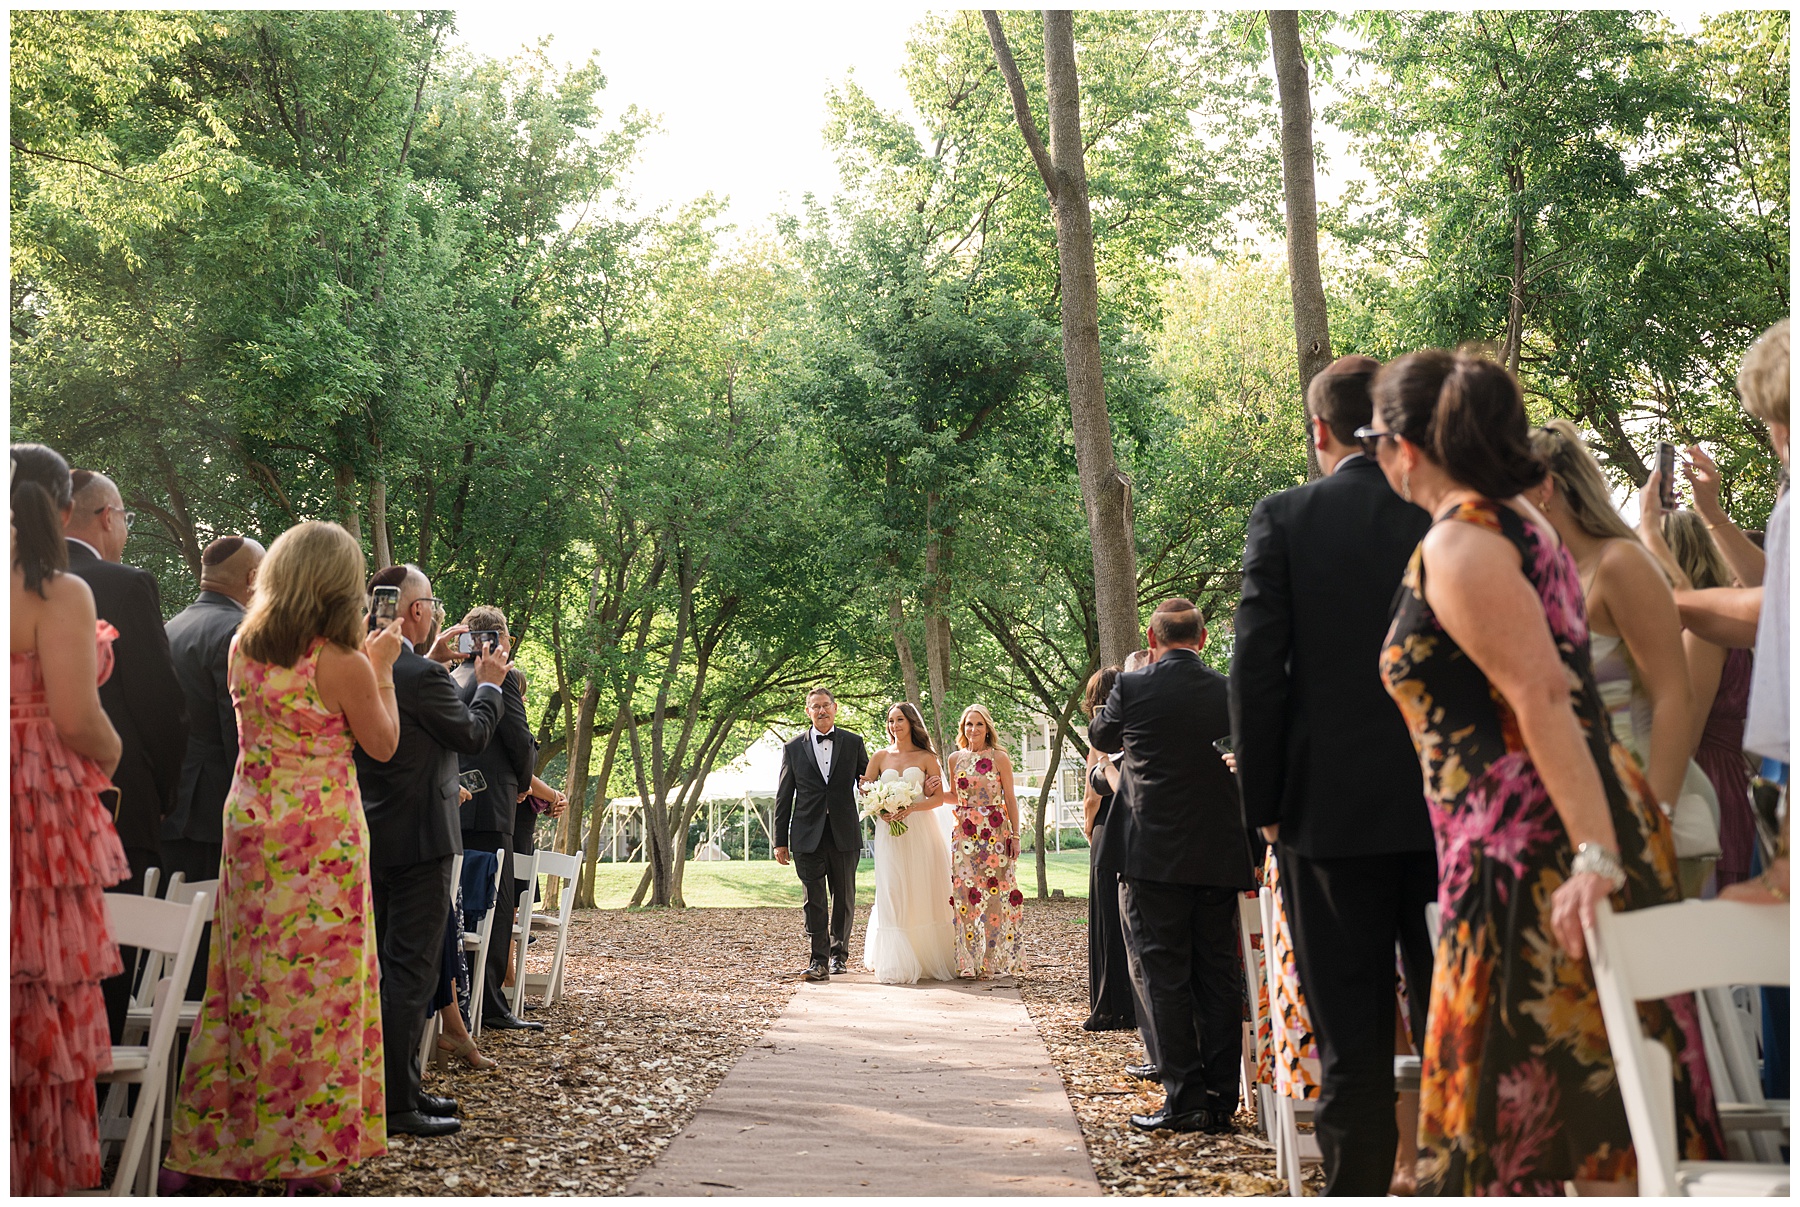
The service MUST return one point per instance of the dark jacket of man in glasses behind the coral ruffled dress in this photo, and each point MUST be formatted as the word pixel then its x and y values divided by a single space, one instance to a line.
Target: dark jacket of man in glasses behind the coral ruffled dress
pixel 143 699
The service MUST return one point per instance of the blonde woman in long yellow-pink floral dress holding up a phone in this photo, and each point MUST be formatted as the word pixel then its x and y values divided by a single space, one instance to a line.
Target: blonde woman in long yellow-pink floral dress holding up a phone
pixel 283 1075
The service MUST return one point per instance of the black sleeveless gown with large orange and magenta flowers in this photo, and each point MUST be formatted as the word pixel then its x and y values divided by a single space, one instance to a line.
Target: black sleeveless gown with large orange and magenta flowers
pixel 1518 1089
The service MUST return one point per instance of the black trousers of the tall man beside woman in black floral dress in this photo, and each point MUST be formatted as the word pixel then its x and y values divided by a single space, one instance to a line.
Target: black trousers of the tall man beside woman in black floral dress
pixel 1347 915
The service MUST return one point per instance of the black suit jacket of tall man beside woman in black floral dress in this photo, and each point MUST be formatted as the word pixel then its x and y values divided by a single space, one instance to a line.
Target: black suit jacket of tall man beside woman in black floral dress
pixel 1320 746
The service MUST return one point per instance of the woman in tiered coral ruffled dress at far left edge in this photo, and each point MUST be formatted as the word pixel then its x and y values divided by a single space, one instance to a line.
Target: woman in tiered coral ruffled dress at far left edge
pixel 64 845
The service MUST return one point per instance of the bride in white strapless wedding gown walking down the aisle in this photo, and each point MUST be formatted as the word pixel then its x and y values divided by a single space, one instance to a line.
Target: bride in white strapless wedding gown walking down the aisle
pixel 912 929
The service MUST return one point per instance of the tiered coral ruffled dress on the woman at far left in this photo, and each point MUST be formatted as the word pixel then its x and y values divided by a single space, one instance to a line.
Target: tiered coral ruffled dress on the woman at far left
pixel 66 854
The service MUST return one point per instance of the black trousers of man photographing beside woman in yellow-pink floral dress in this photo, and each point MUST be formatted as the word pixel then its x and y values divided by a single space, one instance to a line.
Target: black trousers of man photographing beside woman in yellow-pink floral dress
pixel 411 904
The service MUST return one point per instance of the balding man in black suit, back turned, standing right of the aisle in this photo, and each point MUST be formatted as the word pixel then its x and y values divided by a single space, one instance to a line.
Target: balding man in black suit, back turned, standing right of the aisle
pixel 1185 863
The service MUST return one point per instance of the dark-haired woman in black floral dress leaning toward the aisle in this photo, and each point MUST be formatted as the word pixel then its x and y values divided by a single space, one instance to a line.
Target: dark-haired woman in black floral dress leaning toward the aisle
pixel 1538 812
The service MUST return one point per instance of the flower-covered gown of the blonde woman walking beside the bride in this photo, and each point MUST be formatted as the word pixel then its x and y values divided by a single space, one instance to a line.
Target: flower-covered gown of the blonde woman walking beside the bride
pixel 984 872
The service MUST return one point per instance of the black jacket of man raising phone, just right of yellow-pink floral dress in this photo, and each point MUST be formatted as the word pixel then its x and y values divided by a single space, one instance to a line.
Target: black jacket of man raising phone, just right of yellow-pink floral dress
pixel 411 801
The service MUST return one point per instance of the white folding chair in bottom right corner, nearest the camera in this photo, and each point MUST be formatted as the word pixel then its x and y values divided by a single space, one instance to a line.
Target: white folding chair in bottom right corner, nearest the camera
pixel 1655 954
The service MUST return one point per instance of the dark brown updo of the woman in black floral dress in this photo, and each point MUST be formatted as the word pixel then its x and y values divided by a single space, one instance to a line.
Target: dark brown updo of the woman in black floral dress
pixel 1466 413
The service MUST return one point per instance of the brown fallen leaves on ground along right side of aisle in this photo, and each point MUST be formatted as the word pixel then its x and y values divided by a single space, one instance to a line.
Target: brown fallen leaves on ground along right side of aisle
pixel 1104 1098
